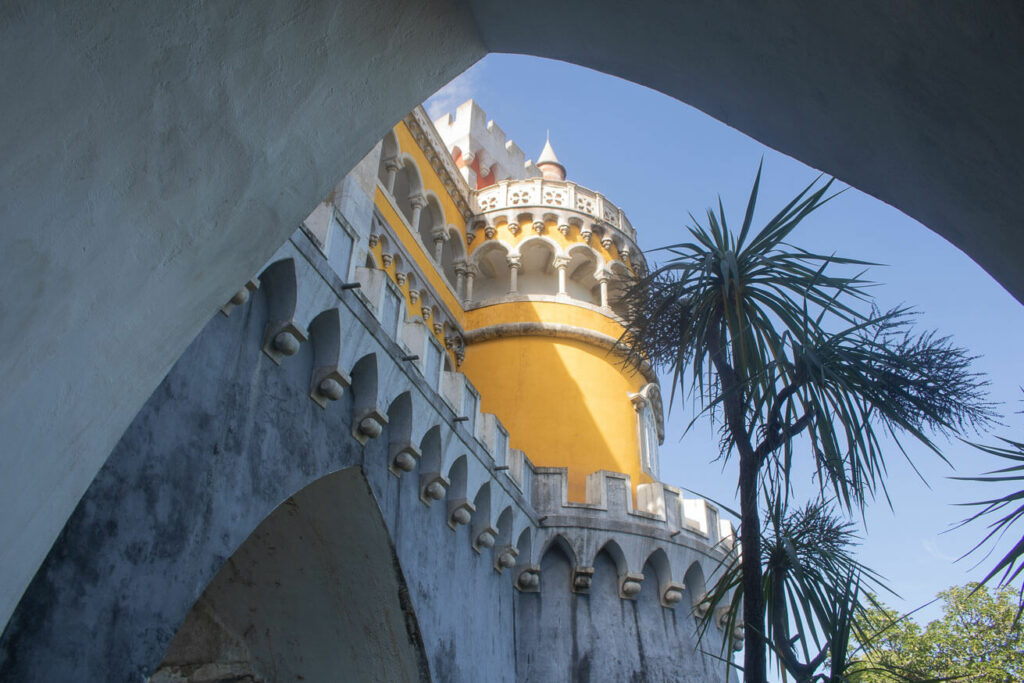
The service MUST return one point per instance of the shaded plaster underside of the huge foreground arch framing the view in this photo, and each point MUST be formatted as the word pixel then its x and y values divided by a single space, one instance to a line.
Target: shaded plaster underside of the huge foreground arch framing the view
pixel 196 142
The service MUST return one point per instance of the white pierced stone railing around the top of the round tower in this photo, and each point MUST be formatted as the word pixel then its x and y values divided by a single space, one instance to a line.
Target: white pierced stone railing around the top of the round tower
pixel 513 195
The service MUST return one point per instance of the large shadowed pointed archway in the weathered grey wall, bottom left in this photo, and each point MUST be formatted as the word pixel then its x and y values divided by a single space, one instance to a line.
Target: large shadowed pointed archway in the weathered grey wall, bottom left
pixel 282 586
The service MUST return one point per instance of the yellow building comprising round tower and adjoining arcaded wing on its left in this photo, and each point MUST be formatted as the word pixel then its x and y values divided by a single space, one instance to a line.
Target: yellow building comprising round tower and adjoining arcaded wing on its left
pixel 525 270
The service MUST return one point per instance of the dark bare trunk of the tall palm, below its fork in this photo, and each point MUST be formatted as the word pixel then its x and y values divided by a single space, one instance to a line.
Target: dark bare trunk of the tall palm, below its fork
pixel 755 656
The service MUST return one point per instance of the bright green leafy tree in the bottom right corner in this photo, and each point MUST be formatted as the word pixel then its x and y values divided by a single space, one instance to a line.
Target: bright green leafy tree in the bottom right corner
pixel 977 639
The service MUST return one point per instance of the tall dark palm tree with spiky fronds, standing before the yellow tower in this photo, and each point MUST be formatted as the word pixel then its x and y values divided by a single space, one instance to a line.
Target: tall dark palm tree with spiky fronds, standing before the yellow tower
pixel 779 351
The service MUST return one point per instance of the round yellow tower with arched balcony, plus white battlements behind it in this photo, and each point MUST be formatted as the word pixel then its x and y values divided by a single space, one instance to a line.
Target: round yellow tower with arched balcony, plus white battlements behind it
pixel 546 262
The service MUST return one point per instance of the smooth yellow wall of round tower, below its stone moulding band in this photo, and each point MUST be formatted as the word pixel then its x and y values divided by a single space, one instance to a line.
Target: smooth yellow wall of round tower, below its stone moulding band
pixel 566 404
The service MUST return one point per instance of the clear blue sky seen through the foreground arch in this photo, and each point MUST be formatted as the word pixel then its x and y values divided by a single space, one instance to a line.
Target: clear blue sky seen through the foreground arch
pixel 660 160
